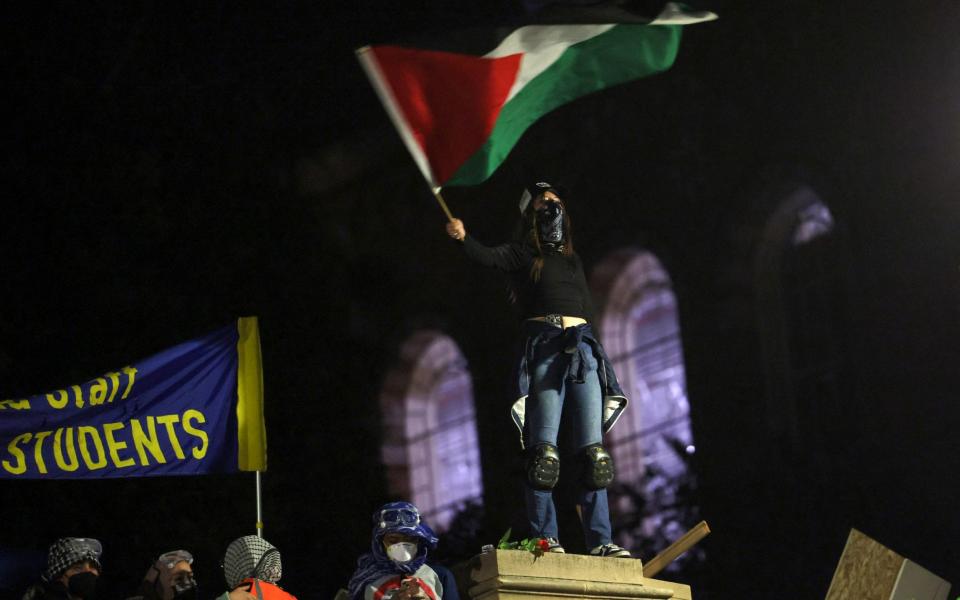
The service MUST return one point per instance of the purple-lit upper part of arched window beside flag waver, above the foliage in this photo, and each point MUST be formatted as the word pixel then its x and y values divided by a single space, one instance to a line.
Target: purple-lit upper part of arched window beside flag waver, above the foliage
pixel 641 334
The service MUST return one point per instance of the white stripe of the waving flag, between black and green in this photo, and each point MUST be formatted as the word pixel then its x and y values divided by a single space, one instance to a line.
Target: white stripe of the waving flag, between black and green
pixel 542 45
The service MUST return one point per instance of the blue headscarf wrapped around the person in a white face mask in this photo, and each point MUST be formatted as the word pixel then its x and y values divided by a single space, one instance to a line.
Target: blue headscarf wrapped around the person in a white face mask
pixel 394 517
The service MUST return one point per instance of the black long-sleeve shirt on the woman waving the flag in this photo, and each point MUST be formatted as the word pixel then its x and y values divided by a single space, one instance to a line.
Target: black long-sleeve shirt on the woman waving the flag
pixel 561 288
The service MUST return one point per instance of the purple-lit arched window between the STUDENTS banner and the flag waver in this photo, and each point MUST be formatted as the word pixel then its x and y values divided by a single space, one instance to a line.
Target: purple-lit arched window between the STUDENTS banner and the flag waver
pixel 429 429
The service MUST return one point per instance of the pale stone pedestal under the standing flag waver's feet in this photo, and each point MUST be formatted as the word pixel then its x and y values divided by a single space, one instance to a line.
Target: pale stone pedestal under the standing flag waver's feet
pixel 520 575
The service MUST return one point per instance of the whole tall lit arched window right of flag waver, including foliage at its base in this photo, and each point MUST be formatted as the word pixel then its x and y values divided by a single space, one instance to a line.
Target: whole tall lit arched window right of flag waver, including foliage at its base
pixel 651 442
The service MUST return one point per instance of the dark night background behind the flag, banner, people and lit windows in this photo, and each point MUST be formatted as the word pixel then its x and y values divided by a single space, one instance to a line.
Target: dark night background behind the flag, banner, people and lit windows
pixel 170 167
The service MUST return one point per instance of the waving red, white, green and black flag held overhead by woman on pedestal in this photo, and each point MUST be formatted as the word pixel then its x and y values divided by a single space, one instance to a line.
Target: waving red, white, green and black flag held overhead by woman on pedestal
pixel 460 115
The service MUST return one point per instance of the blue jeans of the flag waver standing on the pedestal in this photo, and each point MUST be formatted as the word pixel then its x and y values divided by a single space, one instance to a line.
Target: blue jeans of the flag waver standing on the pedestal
pixel 550 391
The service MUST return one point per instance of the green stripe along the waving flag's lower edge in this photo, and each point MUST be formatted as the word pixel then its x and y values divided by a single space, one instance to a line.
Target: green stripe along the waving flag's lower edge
pixel 623 53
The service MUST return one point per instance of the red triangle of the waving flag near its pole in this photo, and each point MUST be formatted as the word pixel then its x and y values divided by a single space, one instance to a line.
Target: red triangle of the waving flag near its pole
pixel 450 101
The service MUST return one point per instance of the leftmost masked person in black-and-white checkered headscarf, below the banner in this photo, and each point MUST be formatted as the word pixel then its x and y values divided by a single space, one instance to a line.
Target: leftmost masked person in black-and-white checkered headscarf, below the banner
pixel 72 572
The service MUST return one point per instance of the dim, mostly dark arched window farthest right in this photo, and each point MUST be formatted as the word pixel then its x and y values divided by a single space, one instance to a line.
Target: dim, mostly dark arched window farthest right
pixel 799 282
